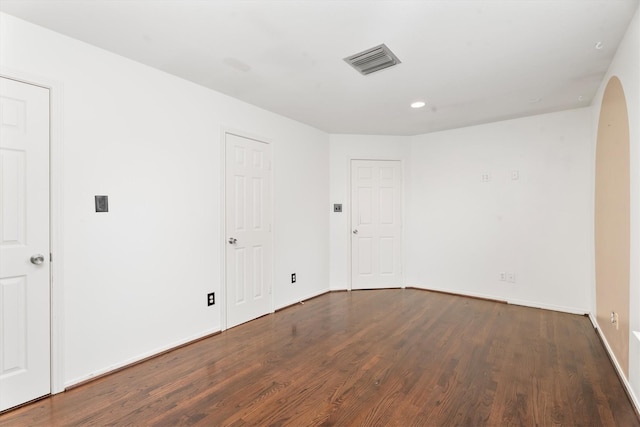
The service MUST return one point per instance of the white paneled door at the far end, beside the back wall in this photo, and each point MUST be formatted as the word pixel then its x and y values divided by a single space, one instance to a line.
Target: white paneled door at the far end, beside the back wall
pixel 376 224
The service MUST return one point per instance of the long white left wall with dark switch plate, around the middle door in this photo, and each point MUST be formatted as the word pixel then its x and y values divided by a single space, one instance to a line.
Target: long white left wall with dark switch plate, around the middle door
pixel 135 278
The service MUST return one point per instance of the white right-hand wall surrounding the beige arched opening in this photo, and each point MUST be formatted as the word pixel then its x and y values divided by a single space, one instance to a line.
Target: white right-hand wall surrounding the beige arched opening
pixel 626 66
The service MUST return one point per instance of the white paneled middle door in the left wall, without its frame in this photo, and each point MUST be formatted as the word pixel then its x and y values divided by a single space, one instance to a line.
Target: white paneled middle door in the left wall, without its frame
pixel 248 229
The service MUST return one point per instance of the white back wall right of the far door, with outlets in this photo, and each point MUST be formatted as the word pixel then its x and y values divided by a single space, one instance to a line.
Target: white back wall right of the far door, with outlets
pixel 462 232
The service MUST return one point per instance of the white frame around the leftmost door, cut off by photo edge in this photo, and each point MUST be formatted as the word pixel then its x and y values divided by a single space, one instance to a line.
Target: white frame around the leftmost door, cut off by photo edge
pixel 56 282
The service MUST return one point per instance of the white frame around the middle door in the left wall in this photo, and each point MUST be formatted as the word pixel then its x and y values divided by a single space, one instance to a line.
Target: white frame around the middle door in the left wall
pixel 223 216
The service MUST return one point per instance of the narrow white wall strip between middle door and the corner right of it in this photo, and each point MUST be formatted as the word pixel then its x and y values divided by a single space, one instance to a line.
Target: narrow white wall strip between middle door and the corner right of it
pixel 301 220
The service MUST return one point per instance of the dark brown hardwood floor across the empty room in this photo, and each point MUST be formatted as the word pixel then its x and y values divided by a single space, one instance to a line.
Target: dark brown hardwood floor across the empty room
pixel 365 358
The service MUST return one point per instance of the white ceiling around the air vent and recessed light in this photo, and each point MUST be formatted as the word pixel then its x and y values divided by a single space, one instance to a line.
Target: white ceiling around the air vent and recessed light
pixel 472 62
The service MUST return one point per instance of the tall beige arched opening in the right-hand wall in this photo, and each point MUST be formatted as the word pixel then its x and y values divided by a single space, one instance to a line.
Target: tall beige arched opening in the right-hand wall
pixel 612 222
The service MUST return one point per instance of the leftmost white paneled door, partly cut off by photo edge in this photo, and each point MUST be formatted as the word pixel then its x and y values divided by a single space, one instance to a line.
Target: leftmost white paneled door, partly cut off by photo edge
pixel 24 243
